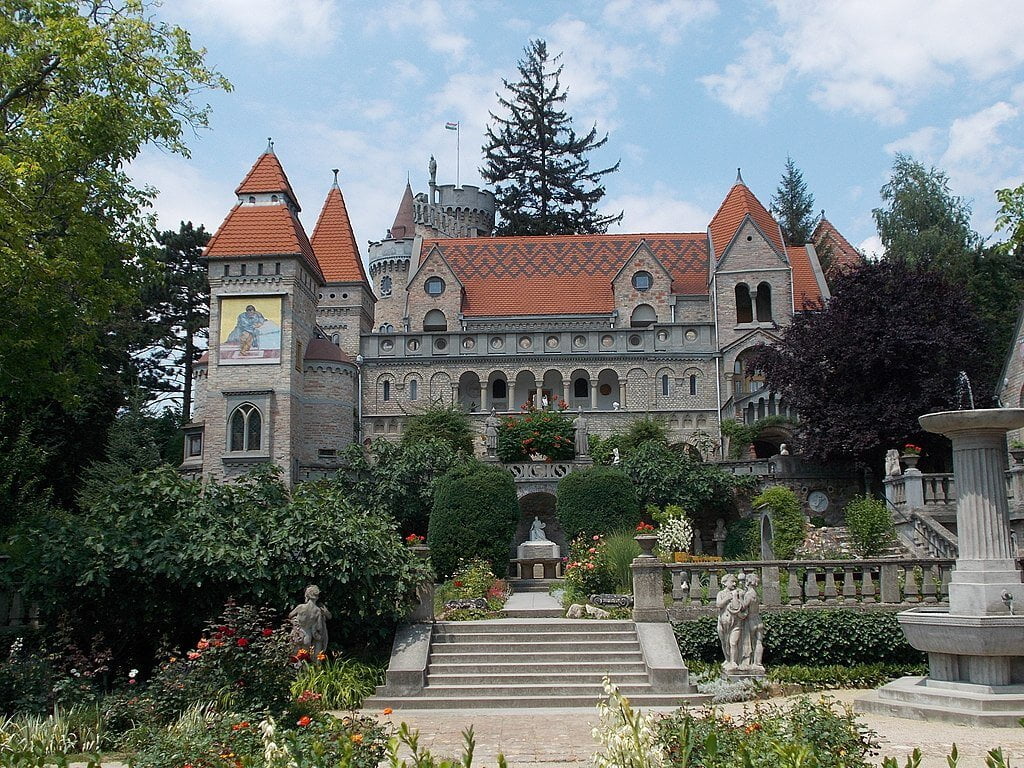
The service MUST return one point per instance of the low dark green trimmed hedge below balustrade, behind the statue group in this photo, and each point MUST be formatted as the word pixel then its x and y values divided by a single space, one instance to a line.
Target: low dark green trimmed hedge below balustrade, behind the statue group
pixel 814 638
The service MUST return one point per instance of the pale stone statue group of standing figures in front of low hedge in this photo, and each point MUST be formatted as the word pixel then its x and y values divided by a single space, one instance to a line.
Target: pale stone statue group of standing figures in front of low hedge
pixel 740 628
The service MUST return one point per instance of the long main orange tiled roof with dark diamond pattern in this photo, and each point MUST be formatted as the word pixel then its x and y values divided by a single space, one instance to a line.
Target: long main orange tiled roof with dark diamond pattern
pixel 563 275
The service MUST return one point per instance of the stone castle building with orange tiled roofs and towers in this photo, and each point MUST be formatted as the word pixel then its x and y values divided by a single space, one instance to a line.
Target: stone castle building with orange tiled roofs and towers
pixel 310 353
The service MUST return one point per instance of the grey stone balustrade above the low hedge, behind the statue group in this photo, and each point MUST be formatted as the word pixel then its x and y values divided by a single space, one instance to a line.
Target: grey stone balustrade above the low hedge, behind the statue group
pixel 818 583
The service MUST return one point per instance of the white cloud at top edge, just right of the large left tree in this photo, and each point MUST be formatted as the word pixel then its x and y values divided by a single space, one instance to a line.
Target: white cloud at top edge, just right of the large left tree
pixel 298 24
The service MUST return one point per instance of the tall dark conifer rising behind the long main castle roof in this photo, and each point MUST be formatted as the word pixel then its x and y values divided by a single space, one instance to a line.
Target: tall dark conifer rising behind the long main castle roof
pixel 537 162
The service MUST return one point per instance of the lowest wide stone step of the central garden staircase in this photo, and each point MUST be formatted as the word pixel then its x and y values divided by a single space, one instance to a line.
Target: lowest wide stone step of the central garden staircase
pixel 562 701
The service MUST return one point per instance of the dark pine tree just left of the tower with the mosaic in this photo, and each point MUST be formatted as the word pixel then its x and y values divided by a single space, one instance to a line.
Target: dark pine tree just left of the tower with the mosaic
pixel 180 305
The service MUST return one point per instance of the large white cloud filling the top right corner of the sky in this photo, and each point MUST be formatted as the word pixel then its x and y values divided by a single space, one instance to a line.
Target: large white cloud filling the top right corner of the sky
pixel 871 58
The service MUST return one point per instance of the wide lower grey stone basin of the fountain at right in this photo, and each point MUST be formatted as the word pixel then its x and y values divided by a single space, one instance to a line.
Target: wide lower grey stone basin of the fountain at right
pixel 937 631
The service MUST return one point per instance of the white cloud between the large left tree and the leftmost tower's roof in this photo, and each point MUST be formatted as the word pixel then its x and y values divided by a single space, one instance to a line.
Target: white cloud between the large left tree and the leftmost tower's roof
pixel 185 194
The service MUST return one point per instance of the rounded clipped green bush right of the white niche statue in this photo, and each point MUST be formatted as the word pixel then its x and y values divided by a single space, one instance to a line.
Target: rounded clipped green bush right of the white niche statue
pixel 598 500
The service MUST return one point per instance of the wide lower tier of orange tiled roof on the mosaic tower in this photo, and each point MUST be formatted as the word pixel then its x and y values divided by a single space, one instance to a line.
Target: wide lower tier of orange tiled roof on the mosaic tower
pixel 263 231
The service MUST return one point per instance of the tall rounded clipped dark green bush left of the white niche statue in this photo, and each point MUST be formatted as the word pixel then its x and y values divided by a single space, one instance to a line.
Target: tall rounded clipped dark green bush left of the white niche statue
pixel 476 516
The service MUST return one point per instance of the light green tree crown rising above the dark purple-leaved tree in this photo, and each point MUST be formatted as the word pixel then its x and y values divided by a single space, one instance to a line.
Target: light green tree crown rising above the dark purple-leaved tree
pixel 922 222
